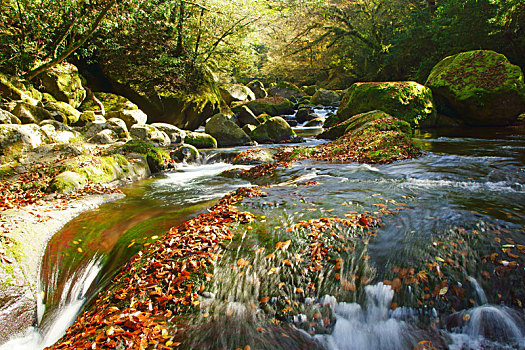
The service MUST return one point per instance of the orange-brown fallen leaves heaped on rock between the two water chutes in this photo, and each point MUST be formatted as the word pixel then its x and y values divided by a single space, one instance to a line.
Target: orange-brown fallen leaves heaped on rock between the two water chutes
pixel 147 296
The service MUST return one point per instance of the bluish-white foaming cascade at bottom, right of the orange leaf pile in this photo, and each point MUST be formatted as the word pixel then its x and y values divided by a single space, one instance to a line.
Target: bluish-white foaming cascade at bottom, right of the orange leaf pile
pixel 371 328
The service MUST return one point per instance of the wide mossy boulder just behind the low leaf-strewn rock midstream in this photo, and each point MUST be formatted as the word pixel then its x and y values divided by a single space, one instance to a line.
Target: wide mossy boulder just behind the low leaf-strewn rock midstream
pixel 405 100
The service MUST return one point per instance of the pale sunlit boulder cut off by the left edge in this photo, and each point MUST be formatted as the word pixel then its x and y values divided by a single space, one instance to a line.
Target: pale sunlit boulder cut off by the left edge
pixel 16 139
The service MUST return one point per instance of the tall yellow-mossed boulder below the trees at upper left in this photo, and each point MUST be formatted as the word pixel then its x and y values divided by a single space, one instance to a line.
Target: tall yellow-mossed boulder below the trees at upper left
pixel 64 84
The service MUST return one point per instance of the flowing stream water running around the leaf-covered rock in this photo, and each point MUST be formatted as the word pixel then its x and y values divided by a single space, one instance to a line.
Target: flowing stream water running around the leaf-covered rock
pixel 467 192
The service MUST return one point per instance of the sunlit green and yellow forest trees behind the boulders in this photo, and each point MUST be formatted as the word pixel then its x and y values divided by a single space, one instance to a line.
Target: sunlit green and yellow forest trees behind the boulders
pixel 171 43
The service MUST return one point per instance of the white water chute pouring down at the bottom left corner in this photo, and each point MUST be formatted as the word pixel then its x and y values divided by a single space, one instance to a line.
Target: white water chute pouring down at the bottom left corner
pixel 54 324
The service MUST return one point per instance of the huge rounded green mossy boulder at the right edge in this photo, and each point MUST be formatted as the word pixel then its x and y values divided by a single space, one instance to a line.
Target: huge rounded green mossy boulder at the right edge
pixel 478 87
